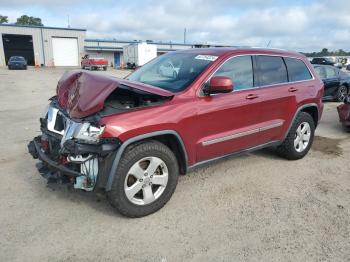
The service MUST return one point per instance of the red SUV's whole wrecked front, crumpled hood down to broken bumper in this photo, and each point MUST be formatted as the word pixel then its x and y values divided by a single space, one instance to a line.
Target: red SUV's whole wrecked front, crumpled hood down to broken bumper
pixel 71 146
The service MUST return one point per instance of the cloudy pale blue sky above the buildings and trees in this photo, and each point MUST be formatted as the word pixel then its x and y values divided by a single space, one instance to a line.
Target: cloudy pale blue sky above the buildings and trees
pixel 297 25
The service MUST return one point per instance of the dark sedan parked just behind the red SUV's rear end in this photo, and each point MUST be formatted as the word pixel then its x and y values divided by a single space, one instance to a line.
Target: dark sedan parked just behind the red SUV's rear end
pixel 336 82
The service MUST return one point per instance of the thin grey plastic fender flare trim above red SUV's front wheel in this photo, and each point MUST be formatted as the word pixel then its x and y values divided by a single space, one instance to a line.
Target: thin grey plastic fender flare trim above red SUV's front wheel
pixel 125 144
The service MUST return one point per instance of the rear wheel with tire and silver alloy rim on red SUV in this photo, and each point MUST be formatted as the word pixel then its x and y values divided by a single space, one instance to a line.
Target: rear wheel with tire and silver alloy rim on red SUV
pixel 296 145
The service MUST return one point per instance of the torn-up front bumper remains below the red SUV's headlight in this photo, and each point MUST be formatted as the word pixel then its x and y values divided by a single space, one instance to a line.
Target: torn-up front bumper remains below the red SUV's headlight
pixel 75 162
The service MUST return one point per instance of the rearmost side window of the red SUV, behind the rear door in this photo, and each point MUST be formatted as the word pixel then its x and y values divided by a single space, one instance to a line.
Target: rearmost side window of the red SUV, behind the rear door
pixel 297 70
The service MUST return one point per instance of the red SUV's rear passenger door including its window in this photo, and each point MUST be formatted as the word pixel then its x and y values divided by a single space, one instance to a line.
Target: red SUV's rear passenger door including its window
pixel 278 101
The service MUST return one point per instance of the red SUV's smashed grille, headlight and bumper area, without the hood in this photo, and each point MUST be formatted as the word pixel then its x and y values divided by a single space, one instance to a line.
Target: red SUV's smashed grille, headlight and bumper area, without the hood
pixel 71 152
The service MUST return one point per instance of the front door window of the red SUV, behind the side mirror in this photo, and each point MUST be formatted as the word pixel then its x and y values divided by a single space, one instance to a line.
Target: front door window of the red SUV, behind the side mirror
pixel 240 70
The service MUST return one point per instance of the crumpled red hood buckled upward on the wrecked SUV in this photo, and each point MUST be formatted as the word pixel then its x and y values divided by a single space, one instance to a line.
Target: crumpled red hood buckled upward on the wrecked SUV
pixel 83 93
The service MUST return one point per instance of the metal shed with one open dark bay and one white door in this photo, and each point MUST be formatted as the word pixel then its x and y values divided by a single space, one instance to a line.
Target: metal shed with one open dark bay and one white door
pixel 40 45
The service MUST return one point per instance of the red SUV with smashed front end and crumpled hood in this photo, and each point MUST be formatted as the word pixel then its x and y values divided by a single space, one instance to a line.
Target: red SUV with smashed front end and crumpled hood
pixel 134 136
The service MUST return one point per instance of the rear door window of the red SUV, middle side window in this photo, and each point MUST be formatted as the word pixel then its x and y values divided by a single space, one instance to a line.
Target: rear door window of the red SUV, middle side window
pixel 272 70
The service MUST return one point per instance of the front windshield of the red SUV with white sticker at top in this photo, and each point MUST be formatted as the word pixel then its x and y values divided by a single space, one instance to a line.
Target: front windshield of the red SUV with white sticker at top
pixel 173 71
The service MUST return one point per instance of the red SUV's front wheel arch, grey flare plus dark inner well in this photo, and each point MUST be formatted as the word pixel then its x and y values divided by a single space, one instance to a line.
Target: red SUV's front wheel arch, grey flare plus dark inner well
pixel 168 137
